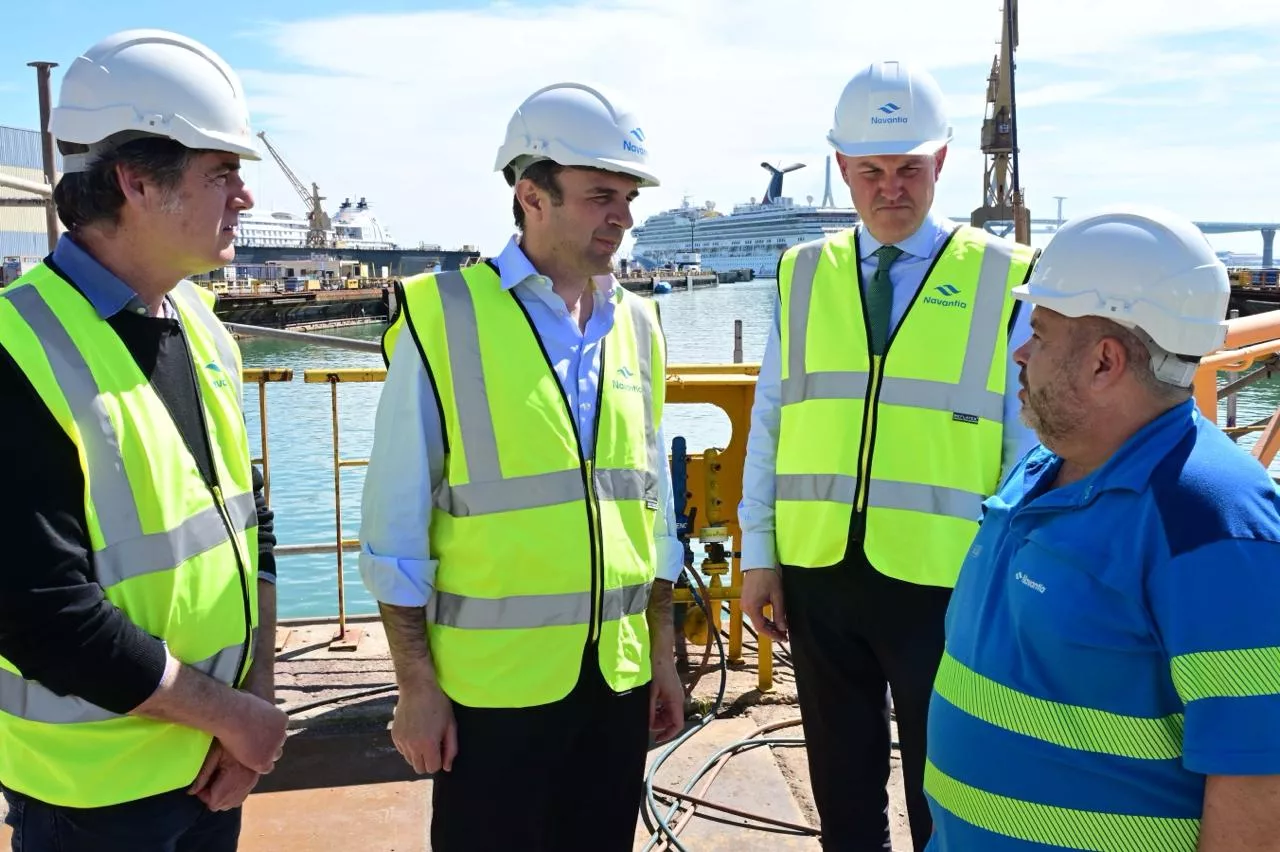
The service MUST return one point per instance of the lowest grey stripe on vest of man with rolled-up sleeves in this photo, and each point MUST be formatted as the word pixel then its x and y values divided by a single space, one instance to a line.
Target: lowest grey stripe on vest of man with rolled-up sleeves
pixel 531 612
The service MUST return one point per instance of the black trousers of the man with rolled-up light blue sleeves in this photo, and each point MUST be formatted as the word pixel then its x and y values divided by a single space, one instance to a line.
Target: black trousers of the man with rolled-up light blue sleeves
pixel 561 777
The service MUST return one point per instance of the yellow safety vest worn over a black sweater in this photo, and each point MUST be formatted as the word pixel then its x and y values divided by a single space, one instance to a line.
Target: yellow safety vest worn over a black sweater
pixel 179 558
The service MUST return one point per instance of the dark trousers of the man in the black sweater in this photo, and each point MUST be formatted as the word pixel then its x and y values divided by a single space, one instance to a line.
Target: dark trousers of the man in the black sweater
pixel 171 822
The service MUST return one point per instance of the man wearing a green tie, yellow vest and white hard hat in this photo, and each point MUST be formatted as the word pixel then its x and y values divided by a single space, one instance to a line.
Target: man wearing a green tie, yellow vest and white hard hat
pixel 885 414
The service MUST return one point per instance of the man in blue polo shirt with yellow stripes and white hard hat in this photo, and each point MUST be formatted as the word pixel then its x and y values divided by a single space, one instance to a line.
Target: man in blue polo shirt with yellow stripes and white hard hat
pixel 1112 676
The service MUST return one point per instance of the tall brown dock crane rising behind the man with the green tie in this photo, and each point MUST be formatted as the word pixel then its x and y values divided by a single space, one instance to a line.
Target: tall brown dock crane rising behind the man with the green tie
pixel 1003 195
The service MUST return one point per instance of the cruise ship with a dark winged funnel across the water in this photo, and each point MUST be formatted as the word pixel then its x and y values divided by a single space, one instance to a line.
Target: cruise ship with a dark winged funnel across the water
pixel 752 237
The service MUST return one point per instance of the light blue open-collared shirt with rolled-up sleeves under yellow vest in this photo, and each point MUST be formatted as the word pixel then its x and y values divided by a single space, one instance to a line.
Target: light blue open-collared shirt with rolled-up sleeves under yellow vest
pixel 406 464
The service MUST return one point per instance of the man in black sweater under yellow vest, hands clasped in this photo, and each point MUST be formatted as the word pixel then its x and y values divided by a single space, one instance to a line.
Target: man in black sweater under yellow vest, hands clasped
pixel 138 606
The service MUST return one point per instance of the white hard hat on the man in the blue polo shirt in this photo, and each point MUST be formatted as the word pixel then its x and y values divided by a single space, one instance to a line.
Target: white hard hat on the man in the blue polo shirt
pixel 1144 268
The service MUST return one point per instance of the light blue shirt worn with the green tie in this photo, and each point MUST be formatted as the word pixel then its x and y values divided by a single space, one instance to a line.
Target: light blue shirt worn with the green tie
pixel 756 511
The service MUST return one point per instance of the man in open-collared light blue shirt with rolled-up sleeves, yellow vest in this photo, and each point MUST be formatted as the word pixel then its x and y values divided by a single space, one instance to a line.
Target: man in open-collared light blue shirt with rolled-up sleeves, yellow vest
pixel 518 526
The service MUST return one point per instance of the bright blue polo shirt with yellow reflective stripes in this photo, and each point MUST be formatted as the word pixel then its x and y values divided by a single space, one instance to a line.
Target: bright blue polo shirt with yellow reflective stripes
pixel 1110 644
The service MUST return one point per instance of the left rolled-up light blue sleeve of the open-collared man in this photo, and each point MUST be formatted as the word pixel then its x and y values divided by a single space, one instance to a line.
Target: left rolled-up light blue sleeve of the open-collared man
pixel 405 468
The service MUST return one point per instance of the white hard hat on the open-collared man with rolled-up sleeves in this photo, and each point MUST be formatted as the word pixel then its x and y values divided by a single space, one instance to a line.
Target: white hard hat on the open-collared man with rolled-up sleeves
pixel 577 126
